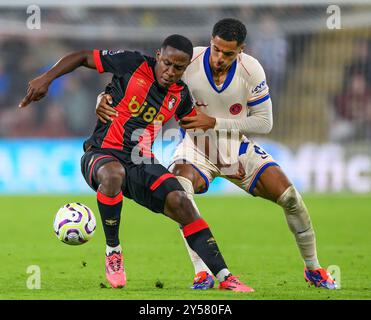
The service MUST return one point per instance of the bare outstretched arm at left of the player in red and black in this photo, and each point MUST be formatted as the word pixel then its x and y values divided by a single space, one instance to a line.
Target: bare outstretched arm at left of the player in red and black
pixel 38 87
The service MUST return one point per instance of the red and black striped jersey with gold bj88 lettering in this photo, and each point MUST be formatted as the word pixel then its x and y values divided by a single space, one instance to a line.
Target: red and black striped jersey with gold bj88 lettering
pixel 142 104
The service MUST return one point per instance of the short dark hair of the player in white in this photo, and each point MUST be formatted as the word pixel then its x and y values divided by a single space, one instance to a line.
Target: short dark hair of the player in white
pixel 230 29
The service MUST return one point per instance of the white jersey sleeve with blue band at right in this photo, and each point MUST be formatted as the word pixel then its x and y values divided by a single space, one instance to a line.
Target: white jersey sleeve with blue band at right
pixel 258 87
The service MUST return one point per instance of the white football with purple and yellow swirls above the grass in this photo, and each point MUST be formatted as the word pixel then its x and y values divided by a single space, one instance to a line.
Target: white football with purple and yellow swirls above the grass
pixel 74 223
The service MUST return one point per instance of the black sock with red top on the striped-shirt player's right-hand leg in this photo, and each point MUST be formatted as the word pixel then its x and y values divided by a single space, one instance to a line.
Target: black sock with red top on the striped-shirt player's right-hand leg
pixel 201 240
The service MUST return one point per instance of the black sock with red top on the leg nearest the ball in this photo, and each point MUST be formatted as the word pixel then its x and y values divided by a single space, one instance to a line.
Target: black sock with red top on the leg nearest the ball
pixel 110 212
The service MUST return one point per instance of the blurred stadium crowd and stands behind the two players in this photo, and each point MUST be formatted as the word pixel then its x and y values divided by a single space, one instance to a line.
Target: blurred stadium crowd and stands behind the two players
pixel 276 37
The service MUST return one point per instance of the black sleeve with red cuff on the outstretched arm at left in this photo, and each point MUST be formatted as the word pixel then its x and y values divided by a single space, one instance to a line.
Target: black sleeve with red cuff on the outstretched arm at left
pixel 116 62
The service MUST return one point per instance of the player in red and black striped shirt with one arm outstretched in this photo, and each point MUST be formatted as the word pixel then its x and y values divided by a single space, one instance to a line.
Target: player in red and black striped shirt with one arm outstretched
pixel 146 91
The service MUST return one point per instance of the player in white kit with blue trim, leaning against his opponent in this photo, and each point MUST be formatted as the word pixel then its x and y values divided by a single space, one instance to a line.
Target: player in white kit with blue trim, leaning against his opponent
pixel 233 101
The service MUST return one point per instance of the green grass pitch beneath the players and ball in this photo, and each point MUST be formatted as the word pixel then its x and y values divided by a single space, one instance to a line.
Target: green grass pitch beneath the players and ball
pixel 252 235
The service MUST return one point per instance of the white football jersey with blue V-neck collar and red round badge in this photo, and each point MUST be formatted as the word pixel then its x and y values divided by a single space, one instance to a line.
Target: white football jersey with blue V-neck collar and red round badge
pixel 244 87
